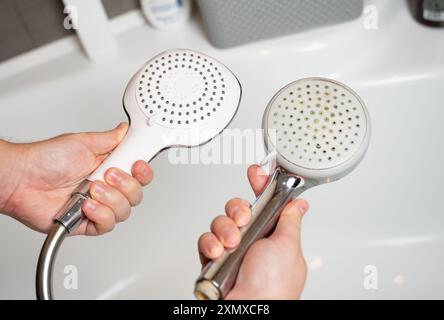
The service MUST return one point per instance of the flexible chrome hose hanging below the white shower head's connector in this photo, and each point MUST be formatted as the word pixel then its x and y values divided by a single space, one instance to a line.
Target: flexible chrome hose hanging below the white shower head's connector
pixel 47 257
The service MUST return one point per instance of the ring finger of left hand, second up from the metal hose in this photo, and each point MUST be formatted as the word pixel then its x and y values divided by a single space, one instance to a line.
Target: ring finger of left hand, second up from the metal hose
pixel 111 198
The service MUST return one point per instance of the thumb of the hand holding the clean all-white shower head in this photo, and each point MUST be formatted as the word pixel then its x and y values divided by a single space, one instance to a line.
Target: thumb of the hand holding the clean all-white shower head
pixel 104 142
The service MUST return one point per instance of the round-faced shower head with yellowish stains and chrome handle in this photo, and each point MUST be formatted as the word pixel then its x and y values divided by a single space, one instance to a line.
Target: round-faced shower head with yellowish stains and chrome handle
pixel 319 130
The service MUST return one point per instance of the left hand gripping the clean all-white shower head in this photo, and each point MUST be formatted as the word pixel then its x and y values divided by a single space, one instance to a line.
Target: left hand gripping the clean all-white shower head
pixel 42 175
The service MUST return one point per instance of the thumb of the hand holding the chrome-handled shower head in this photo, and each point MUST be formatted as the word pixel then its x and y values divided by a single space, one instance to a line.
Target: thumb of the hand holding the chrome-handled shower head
pixel 288 227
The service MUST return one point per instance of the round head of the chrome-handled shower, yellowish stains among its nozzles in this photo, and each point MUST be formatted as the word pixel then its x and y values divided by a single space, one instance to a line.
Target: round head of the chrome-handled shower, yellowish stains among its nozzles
pixel 319 129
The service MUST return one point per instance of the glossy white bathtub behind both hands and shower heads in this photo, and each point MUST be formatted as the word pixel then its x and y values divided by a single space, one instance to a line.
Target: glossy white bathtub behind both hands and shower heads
pixel 387 216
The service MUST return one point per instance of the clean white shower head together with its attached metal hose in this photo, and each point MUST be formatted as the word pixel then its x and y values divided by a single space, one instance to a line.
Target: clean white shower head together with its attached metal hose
pixel 180 98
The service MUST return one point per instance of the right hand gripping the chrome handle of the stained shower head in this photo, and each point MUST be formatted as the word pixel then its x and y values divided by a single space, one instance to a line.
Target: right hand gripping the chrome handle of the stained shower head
pixel 274 267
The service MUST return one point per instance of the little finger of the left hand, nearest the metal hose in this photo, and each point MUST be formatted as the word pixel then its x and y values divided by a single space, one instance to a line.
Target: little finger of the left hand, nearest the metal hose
pixel 102 217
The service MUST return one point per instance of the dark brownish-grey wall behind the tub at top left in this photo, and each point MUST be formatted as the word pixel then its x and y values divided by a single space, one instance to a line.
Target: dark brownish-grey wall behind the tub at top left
pixel 28 24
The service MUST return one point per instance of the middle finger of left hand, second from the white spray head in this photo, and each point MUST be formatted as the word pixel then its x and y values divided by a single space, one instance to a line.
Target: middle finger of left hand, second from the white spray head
pixel 126 184
